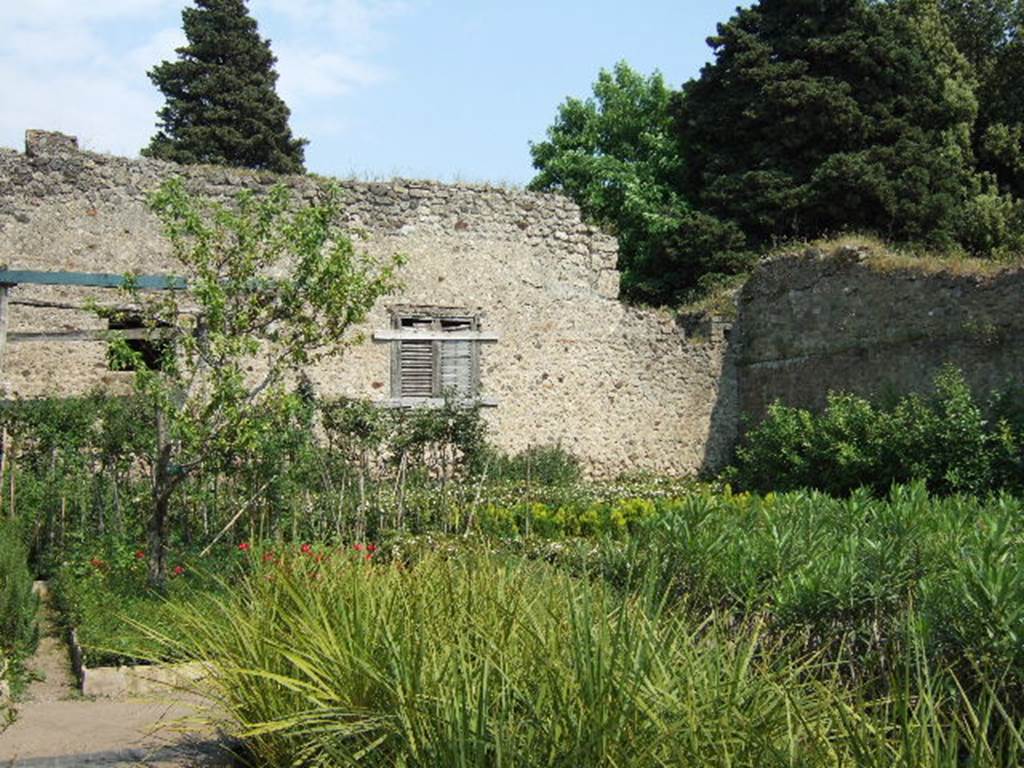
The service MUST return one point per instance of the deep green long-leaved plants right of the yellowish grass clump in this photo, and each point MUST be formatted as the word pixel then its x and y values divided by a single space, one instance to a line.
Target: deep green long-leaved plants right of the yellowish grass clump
pixel 843 576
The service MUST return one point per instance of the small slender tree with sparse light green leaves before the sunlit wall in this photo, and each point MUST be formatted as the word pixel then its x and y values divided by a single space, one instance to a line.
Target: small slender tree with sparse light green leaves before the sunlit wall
pixel 273 287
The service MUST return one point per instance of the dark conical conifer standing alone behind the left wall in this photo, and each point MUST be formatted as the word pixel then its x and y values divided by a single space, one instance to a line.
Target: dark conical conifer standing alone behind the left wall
pixel 223 107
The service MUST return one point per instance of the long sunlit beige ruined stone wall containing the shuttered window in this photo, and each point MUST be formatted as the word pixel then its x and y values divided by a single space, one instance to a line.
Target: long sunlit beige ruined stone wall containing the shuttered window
pixel 621 388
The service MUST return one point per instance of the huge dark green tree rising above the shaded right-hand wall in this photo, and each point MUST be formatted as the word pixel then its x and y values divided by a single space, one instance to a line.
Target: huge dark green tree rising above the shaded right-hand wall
pixel 820 116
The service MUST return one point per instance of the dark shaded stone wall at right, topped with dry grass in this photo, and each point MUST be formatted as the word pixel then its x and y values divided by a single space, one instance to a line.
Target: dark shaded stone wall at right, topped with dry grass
pixel 873 325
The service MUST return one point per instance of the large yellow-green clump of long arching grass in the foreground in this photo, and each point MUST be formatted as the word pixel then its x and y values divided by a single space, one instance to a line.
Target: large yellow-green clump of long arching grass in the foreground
pixel 488 662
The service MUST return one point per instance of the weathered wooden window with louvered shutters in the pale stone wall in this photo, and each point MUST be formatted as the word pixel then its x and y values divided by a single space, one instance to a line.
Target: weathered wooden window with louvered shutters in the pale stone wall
pixel 437 368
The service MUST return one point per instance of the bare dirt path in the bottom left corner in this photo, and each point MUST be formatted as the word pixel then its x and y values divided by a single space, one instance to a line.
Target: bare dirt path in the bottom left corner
pixel 57 729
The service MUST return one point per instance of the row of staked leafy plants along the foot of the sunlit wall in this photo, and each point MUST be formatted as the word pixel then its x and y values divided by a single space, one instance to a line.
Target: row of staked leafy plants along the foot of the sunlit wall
pixel 82 475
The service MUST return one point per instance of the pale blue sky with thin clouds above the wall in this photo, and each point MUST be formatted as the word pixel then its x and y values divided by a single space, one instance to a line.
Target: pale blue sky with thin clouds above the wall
pixel 445 90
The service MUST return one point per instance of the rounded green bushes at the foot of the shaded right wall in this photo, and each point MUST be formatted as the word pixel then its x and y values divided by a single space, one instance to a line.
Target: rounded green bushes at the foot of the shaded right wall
pixel 949 440
